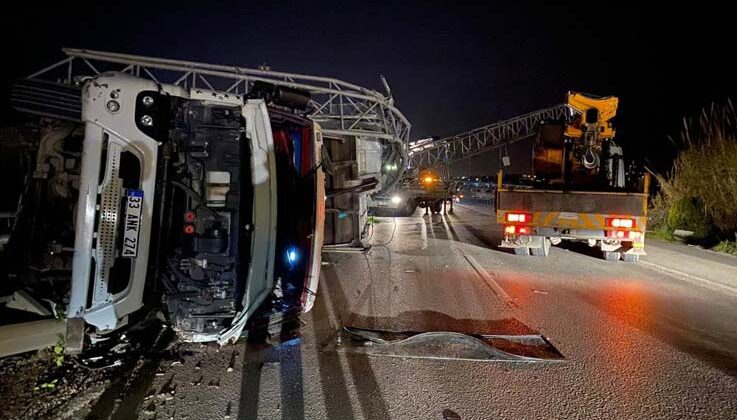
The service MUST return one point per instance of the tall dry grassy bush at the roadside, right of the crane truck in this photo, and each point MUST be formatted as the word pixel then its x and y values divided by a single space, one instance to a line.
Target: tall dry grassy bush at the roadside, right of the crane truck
pixel 700 192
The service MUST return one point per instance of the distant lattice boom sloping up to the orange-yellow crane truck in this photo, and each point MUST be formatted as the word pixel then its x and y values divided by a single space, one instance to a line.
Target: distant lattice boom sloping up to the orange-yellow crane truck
pixel 471 143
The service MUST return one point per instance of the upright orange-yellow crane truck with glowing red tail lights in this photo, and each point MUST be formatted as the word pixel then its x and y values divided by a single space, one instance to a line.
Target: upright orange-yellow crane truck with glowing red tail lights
pixel 578 190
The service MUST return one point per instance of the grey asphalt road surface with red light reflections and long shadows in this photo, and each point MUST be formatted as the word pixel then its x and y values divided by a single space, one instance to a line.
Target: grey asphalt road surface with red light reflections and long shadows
pixel 655 339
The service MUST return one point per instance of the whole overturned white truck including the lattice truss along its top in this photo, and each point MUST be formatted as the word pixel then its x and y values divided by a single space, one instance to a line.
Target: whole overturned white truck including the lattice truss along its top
pixel 212 194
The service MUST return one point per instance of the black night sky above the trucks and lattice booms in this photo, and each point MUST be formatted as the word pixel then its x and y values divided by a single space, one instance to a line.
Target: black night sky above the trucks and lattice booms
pixel 452 66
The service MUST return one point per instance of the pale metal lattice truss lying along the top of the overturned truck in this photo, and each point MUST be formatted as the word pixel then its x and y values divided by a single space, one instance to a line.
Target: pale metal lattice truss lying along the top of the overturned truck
pixel 341 108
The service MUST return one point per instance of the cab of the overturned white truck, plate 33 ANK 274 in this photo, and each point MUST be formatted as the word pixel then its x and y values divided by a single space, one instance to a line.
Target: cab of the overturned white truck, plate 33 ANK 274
pixel 213 201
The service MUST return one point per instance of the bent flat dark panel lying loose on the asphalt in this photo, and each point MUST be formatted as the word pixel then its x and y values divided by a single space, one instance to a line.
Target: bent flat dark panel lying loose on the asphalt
pixel 442 345
